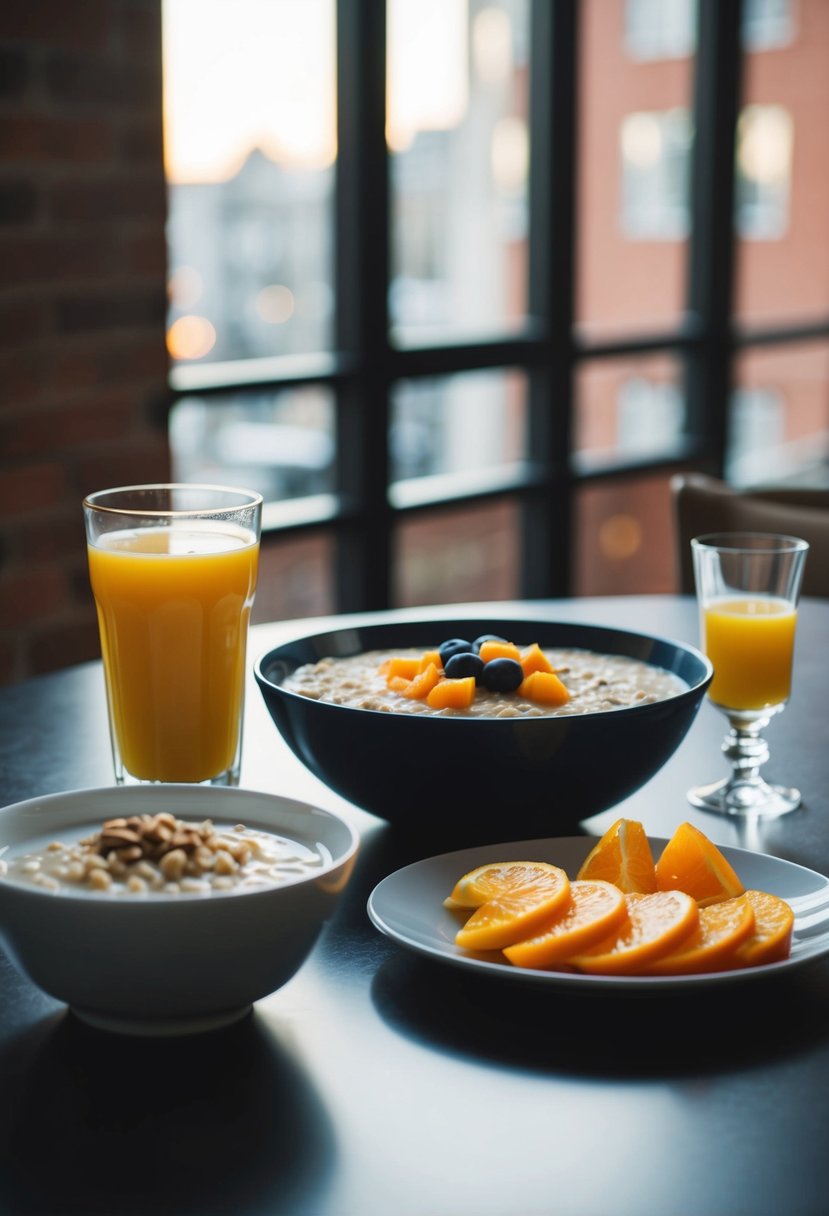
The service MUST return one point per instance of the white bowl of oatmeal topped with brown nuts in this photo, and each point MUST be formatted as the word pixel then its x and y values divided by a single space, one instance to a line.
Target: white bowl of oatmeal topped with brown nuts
pixel 167 909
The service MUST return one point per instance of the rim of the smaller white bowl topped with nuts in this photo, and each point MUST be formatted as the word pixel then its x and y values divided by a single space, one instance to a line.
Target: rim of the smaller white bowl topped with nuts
pixel 189 900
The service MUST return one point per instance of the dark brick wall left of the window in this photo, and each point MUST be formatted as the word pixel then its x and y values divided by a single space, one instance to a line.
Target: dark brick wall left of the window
pixel 83 363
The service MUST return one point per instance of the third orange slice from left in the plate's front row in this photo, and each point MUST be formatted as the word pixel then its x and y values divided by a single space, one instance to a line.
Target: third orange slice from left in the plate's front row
pixel 657 925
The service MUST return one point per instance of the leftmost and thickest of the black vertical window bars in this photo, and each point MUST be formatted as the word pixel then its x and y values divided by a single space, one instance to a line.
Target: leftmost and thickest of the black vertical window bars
pixel 364 542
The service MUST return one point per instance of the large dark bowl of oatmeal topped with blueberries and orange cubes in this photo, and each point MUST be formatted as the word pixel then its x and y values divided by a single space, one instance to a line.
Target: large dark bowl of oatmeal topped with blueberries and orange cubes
pixel 476 727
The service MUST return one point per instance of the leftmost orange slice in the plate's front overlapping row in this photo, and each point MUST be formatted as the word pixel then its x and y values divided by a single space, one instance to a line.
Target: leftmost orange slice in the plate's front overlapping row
pixel 520 910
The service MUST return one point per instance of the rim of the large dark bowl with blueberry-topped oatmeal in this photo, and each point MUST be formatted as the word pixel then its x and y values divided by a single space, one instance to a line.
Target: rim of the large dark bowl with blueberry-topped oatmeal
pixel 272 656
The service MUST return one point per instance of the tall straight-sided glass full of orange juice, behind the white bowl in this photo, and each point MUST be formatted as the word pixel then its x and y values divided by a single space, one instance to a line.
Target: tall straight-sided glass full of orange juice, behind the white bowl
pixel 174 572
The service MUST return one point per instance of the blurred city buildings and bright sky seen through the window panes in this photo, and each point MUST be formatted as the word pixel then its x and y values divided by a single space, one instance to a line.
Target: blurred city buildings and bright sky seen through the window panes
pixel 251 147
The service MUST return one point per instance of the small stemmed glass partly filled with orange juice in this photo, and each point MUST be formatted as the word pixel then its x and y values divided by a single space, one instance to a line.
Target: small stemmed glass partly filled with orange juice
pixel 748 586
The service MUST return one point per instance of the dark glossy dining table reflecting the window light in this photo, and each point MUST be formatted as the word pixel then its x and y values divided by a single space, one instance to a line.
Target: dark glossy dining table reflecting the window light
pixel 380 1082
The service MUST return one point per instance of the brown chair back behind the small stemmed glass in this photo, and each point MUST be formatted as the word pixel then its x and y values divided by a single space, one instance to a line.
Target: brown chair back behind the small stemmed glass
pixel 704 505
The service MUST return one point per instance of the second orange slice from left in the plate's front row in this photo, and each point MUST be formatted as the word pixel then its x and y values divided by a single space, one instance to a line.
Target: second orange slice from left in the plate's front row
pixel 595 911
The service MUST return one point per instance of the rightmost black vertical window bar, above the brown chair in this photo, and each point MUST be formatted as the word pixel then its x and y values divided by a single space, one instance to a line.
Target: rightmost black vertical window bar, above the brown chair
pixel 718 91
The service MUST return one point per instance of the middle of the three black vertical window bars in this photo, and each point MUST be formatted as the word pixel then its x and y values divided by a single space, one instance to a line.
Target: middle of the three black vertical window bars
pixel 548 511
